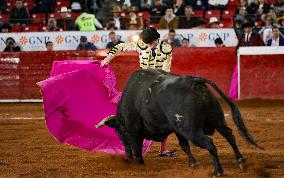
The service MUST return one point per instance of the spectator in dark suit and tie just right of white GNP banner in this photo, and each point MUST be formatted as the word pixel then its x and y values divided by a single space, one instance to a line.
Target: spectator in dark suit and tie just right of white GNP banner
pixel 249 38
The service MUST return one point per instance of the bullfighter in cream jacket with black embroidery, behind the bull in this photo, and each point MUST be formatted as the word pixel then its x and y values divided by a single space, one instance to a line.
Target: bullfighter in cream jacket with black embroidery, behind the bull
pixel 152 56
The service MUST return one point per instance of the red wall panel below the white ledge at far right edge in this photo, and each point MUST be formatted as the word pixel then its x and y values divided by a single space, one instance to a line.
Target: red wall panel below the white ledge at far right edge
pixel 262 76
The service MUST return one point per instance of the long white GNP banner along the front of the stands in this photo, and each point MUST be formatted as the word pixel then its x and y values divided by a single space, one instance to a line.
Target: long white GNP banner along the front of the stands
pixel 35 41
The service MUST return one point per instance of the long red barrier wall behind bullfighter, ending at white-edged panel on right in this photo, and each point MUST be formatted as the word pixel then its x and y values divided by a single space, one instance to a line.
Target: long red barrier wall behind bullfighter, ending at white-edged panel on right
pixel 216 64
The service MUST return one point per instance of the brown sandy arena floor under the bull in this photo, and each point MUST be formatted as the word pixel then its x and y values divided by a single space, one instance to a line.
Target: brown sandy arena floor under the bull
pixel 28 150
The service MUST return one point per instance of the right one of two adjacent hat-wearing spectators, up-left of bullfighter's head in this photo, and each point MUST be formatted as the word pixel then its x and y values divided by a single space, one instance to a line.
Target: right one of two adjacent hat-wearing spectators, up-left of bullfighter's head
pixel 133 19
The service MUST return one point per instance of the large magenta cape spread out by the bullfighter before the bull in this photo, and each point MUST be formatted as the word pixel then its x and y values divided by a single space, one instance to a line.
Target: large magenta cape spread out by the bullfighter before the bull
pixel 76 97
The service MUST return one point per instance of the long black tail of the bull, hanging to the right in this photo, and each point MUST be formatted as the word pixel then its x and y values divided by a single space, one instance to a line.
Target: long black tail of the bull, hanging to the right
pixel 237 118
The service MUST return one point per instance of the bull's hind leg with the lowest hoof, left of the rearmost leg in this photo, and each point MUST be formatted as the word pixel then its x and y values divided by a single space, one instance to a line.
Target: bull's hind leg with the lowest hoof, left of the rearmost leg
pixel 201 140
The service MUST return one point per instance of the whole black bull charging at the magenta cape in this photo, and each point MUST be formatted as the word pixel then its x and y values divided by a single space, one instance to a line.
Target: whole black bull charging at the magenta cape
pixel 155 104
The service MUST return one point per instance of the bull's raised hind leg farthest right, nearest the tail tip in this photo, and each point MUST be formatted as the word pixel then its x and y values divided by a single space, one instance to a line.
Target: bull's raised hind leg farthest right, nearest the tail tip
pixel 227 133
